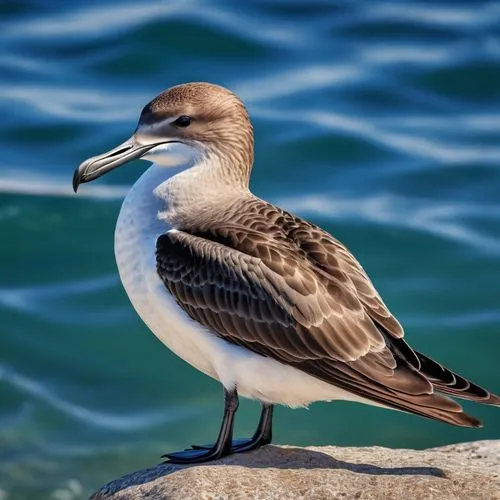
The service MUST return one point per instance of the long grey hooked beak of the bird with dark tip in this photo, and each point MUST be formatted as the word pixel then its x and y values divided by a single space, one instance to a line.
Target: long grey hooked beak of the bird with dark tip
pixel 99 165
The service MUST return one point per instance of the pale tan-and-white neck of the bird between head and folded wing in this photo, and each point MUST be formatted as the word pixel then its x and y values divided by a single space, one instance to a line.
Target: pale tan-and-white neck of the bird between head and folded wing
pixel 201 191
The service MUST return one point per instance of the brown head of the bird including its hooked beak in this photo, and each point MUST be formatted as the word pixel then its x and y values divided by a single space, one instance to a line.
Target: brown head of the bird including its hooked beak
pixel 182 124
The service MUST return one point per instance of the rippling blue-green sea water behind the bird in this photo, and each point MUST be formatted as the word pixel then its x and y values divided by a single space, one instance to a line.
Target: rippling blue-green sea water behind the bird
pixel 380 121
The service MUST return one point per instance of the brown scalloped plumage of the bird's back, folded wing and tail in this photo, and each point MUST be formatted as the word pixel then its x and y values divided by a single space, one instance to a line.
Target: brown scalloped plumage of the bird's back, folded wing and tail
pixel 295 294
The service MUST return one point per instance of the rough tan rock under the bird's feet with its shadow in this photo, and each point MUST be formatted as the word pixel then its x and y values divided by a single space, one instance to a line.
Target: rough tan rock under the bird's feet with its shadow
pixel 466 471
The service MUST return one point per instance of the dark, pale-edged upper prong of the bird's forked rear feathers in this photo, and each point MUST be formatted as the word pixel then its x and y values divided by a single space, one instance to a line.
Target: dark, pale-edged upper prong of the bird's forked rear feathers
pixel 448 382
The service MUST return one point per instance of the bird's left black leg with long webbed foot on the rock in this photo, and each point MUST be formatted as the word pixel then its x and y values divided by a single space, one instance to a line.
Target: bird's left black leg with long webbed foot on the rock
pixel 223 445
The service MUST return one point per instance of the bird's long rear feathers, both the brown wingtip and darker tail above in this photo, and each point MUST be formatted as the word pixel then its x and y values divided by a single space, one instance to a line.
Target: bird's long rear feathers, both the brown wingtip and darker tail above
pixel 405 380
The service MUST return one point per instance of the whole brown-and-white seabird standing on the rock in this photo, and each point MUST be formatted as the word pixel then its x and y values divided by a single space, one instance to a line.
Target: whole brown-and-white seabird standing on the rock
pixel 270 305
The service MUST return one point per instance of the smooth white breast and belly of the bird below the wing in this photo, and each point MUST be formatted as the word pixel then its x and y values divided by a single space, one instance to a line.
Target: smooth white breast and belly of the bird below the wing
pixel 255 376
